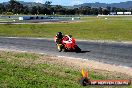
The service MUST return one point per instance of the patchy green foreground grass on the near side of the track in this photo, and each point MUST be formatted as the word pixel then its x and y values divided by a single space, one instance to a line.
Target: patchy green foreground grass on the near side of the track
pixel 23 70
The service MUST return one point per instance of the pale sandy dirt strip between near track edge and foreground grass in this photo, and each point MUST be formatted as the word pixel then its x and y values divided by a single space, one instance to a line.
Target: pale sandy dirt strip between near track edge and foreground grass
pixel 107 70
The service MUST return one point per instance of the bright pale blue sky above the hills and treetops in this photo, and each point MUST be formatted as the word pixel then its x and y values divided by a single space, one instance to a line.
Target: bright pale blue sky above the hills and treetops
pixel 71 2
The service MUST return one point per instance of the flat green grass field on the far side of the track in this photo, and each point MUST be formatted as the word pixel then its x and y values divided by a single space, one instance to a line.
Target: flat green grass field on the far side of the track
pixel 114 28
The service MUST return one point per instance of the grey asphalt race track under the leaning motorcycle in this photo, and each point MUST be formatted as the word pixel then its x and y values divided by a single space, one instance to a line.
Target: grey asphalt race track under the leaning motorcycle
pixel 112 53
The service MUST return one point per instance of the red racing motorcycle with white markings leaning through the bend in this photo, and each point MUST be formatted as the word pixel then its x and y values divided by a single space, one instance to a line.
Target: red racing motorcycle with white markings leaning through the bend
pixel 68 44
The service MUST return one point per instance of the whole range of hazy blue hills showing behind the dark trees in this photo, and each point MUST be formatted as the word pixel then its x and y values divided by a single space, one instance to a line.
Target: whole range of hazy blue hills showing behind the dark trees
pixel 125 5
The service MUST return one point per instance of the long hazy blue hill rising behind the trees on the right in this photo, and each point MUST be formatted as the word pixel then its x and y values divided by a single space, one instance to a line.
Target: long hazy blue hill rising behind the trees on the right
pixel 125 5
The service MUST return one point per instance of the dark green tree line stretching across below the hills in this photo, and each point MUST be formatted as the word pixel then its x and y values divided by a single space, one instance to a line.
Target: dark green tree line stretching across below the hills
pixel 15 7
